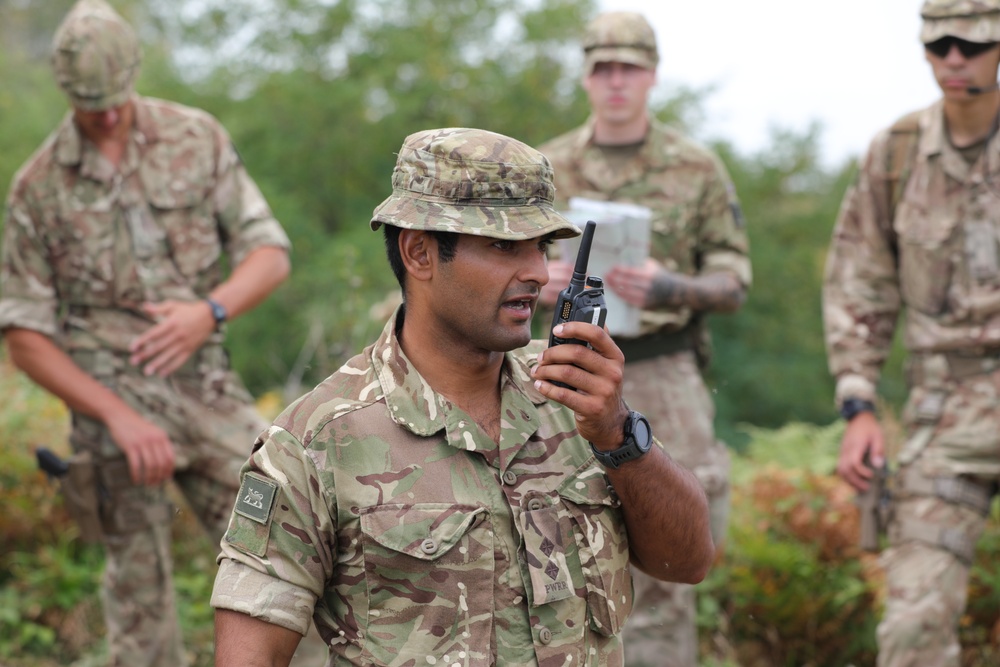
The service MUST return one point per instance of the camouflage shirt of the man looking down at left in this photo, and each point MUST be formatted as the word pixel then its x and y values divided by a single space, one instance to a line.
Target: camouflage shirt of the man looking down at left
pixel 86 244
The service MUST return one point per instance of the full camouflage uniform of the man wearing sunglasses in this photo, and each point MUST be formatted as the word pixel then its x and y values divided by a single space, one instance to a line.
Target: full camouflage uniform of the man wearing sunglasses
pixel 934 256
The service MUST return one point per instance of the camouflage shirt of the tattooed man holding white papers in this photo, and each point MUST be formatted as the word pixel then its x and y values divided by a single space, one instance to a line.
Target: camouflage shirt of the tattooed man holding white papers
pixel 697 226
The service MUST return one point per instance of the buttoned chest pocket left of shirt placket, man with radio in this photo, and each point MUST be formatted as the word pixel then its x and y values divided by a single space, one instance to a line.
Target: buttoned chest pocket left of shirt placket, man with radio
pixel 429 569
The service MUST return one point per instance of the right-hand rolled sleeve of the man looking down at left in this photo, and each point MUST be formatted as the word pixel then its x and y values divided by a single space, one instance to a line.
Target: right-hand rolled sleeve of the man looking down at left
pixel 245 219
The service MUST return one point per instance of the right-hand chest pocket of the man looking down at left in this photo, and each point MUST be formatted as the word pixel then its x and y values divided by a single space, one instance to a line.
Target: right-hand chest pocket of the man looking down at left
pixel 178 179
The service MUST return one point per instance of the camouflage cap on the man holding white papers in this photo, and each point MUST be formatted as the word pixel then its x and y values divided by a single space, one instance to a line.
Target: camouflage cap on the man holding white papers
pixel 620 37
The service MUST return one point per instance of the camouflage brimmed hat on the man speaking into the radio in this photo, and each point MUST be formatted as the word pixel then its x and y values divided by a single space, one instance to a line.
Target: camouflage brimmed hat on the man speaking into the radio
pixel 472 182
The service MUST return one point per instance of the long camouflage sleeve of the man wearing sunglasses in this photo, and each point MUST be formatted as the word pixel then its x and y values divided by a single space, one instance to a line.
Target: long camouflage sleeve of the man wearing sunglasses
pixel 861 299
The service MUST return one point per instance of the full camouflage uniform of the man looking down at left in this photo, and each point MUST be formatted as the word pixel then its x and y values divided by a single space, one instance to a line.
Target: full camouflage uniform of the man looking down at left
pixel 85 245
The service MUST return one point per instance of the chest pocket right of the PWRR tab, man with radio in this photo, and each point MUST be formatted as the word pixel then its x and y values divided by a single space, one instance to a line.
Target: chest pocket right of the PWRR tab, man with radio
pixel 603 548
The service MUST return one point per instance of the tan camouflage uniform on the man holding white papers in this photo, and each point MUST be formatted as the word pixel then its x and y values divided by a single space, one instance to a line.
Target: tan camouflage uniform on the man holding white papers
pixel 697 228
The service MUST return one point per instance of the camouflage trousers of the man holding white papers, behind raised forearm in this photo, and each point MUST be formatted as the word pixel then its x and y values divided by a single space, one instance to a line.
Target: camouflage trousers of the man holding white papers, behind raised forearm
pixel 670 391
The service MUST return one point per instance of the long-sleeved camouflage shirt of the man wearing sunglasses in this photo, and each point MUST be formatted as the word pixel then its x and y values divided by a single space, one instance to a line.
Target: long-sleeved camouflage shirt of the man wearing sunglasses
pixel 937 254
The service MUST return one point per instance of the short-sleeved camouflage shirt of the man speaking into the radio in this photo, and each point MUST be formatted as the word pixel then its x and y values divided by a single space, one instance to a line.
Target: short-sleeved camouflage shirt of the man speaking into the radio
pixel 380 510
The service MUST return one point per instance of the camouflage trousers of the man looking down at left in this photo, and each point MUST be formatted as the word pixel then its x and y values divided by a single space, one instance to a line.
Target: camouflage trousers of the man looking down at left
pixel 212 422
